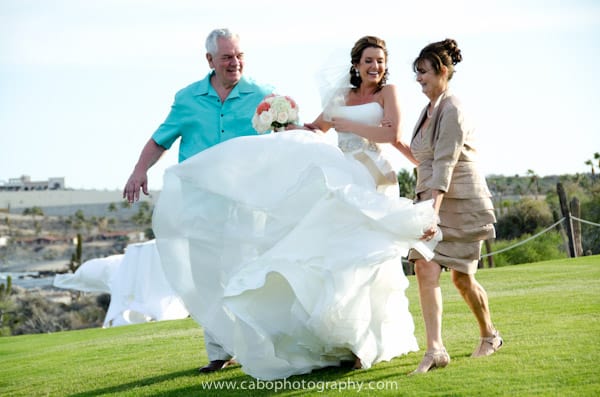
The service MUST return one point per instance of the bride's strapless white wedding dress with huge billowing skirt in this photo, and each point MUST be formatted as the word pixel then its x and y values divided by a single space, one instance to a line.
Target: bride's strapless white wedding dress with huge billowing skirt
pixel 281 247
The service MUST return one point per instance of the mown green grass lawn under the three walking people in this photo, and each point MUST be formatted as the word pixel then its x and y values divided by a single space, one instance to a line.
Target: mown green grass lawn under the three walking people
pixel 548 313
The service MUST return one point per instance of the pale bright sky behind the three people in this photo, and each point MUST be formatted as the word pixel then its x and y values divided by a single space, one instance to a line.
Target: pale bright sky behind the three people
pixel 83 84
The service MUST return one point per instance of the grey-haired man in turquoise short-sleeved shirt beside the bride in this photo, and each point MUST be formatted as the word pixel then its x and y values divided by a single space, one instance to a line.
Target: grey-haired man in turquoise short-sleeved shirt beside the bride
pixel 205 113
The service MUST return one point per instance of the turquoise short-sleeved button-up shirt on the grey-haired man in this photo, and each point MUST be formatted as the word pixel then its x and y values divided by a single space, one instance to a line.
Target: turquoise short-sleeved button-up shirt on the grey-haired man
pixel 199 118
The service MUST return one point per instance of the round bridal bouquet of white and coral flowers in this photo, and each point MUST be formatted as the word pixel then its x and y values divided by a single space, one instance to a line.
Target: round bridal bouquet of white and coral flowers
pixel 275 112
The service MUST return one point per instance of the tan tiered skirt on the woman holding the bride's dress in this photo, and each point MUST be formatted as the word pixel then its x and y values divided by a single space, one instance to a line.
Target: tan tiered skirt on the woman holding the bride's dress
pixel 465 224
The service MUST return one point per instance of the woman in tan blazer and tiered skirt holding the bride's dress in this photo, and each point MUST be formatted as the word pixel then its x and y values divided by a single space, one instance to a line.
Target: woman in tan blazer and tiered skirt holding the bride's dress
pixel 442 142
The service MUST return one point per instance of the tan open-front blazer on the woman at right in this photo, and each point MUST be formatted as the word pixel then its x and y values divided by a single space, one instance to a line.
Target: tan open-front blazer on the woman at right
pixel 447 156
